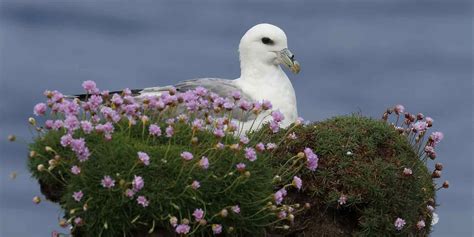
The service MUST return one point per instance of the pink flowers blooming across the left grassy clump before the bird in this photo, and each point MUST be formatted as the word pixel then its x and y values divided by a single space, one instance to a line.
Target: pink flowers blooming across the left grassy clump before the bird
pixel 104 113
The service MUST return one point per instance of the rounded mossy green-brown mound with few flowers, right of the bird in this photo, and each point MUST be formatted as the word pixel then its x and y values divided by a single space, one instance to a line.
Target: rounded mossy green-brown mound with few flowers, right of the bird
pixel 364 160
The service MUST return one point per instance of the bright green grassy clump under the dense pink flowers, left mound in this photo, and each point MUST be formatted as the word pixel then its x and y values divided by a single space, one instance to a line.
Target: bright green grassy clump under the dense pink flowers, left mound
pixel 109 212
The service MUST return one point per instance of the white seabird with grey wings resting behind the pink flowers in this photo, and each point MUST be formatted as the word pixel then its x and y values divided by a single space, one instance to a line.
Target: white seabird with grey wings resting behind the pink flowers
pixel 262 49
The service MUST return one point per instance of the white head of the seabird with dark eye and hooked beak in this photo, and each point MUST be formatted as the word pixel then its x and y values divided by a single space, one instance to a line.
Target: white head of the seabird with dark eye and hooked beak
pixel 267 44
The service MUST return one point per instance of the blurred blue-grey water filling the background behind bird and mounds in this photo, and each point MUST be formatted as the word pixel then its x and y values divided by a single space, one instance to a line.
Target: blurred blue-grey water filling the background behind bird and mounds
pixel 356 56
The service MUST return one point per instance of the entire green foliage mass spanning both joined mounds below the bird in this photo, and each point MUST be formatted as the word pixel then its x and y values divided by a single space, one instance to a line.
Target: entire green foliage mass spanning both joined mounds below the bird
pixel 360 158
